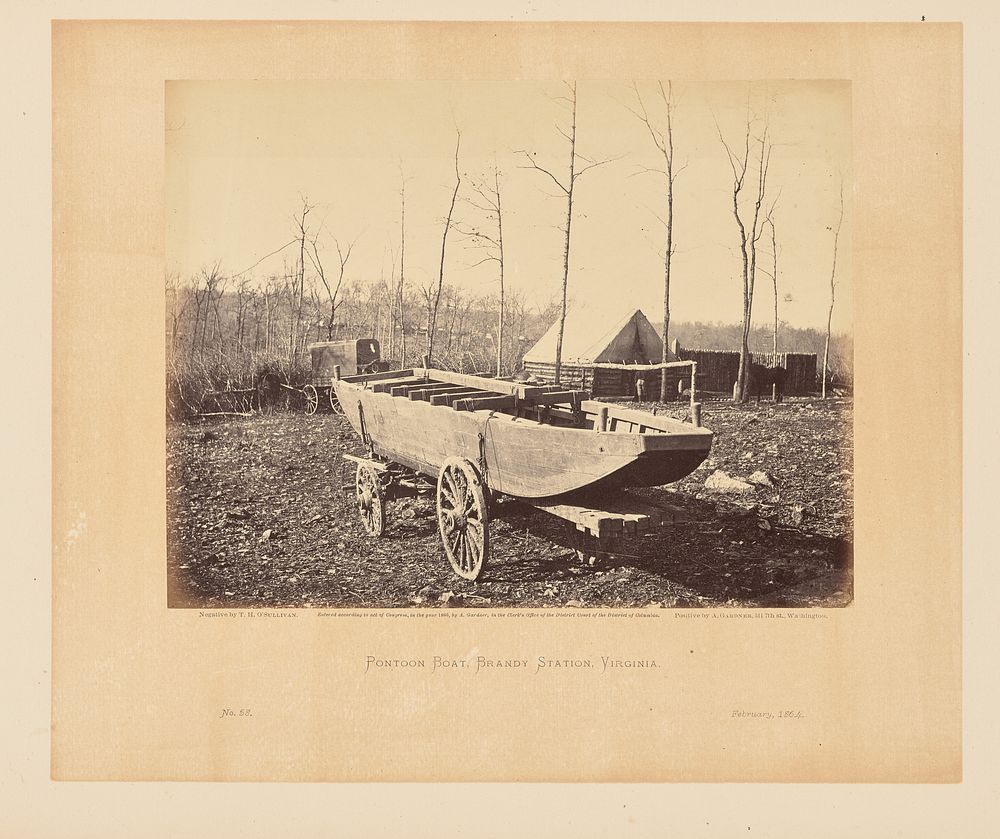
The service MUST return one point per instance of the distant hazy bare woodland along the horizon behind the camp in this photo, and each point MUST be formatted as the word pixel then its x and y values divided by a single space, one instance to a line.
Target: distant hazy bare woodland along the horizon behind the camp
pixel 224 332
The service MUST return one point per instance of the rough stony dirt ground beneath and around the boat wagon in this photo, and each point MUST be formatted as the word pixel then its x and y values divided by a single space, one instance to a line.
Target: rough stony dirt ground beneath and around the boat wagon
pixel 258 517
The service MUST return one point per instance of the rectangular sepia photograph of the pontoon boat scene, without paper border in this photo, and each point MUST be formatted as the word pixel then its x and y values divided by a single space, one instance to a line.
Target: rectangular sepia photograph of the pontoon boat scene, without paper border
pixel 563 344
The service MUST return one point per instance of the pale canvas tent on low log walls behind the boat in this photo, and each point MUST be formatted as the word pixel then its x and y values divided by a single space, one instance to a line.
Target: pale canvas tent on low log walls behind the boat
pixel 593 335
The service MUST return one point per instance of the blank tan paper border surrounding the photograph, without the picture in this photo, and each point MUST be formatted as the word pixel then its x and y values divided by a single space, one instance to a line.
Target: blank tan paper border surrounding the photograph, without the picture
pixel 137 689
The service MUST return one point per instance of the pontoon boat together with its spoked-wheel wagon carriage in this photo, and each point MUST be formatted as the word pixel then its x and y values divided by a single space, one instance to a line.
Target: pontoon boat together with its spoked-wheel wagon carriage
pixel 474 438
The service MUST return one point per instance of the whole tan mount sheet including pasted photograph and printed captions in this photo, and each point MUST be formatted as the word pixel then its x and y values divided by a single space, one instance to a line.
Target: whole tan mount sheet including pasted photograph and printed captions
pixel 388 352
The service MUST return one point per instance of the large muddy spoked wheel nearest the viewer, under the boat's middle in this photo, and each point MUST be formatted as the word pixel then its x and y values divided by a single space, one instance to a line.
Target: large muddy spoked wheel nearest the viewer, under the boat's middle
pixel 463 518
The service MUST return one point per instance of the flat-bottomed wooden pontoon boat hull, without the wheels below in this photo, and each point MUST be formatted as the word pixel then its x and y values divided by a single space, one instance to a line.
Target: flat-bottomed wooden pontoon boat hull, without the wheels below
pixel 523 457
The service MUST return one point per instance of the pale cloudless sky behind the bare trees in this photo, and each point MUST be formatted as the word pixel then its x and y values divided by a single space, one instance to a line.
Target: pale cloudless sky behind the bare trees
pixel 240 154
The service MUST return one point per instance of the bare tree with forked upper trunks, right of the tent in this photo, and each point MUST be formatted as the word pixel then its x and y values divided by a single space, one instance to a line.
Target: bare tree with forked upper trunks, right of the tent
pixel 740 165
